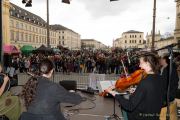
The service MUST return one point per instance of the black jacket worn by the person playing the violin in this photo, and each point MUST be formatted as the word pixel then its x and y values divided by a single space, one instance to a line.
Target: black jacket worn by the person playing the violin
pixel 145 103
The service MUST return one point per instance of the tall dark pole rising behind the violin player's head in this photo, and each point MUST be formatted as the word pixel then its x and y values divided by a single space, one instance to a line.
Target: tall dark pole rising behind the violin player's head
pixel 153 27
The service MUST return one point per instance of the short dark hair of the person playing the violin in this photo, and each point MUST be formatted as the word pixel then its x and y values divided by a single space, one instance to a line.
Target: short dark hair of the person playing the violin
pixel 153 60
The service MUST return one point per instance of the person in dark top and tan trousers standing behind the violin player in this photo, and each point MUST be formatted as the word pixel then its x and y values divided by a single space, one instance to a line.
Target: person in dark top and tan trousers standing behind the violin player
pixel 165 62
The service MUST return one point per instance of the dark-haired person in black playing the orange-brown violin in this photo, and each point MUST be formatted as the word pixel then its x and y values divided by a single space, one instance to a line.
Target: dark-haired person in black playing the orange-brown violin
pixel 145 103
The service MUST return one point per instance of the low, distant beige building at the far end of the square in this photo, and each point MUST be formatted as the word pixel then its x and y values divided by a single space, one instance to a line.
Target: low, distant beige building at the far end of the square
pixel 92 44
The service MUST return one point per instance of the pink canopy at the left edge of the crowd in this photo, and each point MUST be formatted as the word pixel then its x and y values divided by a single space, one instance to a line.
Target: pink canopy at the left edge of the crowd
pixel 10 49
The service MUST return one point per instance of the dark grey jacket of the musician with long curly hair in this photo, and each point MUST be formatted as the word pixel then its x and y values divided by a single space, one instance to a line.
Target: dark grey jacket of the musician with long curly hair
pixel 46 105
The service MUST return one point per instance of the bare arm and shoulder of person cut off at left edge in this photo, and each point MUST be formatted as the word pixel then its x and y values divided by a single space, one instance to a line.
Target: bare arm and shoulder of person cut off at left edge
pixel 3 80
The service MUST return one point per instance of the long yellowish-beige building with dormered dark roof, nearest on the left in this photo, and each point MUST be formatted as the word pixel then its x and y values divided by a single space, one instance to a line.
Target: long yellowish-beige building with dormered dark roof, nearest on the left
pixel 28 28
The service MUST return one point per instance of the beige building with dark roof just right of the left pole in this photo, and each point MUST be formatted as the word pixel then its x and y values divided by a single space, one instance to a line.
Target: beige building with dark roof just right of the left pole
pixel 67 37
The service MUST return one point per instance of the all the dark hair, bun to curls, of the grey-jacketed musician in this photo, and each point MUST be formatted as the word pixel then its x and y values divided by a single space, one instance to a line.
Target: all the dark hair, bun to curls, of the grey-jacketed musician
pixel 29 89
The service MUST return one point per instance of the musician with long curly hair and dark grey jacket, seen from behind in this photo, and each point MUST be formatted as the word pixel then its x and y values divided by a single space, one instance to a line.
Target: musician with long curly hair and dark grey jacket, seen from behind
pixel 43 97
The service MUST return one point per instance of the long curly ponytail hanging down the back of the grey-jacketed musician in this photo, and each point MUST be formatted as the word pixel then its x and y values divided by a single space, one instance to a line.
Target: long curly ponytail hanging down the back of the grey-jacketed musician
pixel 29 91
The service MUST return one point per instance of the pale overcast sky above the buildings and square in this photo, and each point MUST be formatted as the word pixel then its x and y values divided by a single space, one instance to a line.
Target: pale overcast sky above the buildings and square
pixel 103 20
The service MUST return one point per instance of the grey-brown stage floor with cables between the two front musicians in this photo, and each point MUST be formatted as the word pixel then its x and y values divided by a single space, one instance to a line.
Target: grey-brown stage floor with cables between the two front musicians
pixel 99 108
